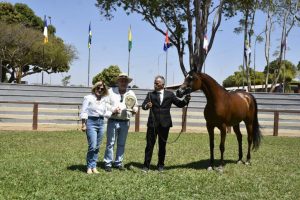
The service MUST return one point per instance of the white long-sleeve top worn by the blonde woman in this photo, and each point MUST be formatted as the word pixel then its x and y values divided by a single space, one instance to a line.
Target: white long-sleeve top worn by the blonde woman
pixel 95 108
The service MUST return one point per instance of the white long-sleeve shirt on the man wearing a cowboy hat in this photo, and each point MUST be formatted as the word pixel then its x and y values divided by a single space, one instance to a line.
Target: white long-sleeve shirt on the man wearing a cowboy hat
pixel 116 100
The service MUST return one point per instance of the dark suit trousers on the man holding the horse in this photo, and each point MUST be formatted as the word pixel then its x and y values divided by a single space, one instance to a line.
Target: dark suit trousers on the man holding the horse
pixel 152 133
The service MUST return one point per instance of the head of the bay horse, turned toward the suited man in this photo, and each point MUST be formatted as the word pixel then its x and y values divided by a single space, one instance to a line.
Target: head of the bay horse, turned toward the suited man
pixel 192 82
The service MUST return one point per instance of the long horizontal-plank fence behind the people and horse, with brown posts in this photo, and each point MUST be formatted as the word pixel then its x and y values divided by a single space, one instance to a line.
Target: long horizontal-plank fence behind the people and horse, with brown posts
pixel 27 107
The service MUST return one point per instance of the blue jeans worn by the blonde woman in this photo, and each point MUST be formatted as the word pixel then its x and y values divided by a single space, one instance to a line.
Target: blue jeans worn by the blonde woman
pixel 94 133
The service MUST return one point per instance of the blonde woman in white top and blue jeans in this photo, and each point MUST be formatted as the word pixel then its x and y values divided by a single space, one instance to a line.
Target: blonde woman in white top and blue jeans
pixel 94 108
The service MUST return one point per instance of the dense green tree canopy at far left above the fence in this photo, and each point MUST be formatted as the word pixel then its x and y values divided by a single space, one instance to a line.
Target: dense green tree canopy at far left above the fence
pixel 22 51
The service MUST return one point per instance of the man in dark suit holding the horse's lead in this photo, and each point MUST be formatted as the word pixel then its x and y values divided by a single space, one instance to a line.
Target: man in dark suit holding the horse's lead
pixel 159 121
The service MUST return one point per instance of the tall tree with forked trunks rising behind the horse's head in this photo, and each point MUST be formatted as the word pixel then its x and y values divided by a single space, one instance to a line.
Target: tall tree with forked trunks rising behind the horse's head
pixel 178 17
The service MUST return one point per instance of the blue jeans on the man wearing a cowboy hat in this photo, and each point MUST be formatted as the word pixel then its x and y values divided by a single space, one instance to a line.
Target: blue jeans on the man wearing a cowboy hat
pixel 117 130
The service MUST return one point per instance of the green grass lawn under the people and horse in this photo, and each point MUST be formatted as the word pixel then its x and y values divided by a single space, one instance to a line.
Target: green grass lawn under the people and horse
pixel 51 165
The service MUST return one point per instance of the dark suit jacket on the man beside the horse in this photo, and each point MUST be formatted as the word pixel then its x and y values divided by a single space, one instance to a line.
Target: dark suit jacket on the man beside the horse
pixel 162 112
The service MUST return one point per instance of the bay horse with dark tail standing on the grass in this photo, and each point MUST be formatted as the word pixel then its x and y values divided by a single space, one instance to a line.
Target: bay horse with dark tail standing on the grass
pixel 225 109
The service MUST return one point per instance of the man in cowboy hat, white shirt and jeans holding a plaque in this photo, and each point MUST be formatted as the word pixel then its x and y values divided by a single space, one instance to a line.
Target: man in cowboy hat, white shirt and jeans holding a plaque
pixel 118 124
